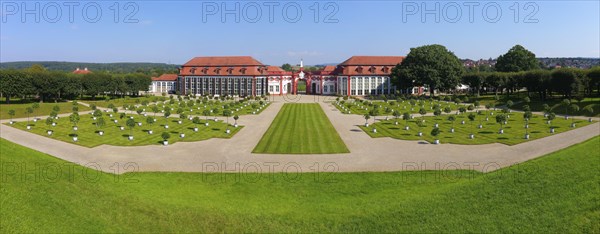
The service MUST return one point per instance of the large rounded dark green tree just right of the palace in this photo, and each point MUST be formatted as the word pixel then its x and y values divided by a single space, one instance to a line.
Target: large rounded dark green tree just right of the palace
pixel 430 65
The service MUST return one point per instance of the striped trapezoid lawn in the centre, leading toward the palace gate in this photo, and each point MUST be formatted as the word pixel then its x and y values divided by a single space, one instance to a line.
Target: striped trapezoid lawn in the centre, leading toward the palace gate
pixel 301 129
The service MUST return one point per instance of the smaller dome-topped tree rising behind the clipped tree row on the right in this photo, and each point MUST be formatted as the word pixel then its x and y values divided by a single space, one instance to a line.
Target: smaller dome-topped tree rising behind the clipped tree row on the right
pixel 517 59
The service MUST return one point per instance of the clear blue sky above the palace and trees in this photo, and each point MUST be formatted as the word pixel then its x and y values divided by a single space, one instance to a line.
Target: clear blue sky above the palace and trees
pixel 176 31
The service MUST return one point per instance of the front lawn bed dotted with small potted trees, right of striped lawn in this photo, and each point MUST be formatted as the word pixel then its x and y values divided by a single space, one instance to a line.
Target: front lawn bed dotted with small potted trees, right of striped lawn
pixel 514 131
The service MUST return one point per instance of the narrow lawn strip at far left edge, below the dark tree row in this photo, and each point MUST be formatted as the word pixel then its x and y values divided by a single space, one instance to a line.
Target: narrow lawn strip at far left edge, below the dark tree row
pixel 45 109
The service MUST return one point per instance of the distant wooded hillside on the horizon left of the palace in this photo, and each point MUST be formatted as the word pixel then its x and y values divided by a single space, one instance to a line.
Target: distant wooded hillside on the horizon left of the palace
pixel 110 67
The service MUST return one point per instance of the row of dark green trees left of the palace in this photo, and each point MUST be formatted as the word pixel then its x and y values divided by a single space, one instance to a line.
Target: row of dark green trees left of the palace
pixel 56 85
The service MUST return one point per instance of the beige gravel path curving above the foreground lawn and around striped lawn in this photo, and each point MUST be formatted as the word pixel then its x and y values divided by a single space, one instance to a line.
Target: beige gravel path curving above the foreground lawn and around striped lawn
pixel 234 155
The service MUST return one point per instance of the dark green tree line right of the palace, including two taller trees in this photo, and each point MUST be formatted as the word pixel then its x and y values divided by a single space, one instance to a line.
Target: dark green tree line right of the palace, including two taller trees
pixel 437 68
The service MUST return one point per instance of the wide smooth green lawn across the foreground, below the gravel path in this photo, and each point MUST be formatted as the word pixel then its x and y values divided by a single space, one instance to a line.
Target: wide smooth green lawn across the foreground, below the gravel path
pixel 557 193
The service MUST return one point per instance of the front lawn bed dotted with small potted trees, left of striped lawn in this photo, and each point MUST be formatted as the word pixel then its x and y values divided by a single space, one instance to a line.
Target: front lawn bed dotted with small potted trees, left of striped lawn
pixel 88 136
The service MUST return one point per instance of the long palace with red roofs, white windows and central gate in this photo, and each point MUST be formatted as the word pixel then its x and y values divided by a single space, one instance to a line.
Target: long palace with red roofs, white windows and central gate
pixel 246 76
